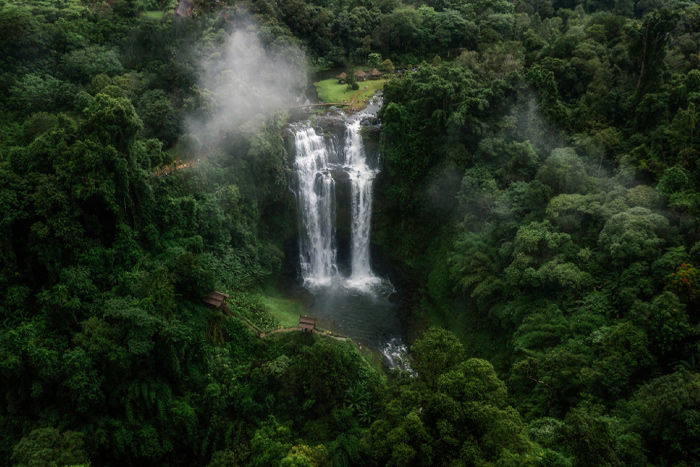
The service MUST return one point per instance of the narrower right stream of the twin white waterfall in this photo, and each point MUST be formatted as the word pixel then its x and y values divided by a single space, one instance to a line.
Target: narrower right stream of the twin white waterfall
pixel 361 178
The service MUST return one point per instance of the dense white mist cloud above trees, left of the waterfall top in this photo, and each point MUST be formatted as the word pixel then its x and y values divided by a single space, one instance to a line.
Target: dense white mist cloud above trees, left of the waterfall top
pixel 242 79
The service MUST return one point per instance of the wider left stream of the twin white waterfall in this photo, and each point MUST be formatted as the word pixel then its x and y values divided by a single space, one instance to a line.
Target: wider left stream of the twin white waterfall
pixel 316 204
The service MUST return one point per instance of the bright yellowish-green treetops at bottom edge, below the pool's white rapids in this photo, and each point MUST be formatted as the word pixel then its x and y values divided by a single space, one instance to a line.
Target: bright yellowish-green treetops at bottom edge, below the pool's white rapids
pixel 457 416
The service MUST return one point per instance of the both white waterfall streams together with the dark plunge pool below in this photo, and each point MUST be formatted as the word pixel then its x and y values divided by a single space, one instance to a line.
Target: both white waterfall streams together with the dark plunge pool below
pixel 359 305
